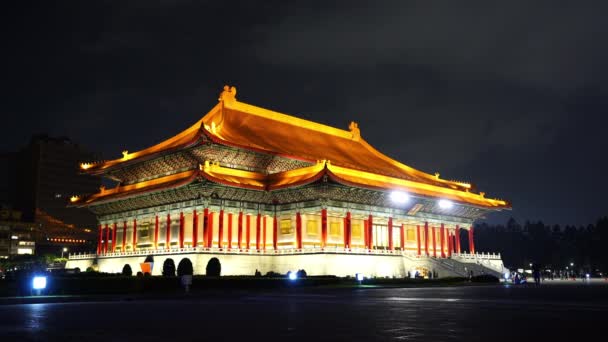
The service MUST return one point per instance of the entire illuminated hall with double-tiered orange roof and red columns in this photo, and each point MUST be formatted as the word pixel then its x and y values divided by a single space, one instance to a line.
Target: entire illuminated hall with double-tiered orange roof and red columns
pixel 261 190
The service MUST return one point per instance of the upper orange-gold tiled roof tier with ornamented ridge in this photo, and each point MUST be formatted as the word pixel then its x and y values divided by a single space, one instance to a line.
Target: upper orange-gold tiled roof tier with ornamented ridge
pixel 238 124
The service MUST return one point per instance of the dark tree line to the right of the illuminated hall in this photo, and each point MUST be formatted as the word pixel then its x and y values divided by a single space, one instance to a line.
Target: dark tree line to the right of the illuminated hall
pixel 548 246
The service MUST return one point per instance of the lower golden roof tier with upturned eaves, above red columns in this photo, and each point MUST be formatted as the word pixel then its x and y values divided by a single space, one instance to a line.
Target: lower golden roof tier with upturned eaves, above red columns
pixel 290 179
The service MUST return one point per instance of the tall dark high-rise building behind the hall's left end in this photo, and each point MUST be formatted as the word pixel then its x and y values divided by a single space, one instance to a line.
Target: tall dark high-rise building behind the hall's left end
pixel 37 181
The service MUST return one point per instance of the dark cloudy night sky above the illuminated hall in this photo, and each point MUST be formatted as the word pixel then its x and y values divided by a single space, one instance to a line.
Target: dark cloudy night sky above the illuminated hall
pixel 512 99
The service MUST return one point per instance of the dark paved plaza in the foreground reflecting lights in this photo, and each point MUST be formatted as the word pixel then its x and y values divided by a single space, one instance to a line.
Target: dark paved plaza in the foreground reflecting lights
pixel 560 311
